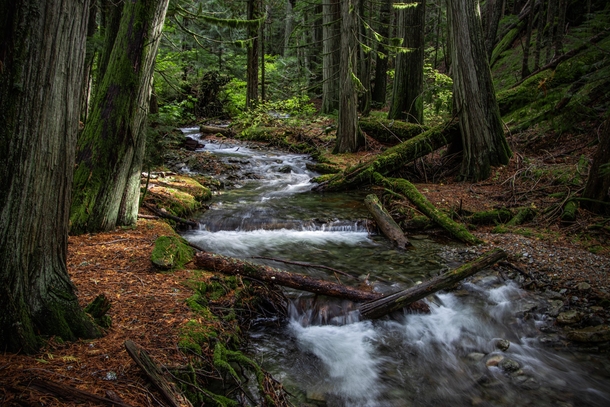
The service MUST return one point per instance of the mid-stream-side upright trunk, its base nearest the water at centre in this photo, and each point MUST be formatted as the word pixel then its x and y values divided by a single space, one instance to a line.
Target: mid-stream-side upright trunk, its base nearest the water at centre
pixel 349 138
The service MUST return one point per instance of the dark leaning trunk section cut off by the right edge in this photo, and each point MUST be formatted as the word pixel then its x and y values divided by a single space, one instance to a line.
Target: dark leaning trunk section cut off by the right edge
pixel 598 182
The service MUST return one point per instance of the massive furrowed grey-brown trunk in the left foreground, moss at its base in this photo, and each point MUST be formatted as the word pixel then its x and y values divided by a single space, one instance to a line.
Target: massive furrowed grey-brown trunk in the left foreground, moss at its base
pixel 43 55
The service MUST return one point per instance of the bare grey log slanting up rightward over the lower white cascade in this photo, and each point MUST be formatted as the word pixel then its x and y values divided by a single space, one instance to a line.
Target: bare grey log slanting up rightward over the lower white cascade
pixel 393 302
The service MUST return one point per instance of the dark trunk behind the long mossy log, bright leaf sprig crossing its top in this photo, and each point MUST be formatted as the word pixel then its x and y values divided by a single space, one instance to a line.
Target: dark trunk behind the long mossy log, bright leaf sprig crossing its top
pixel 407 96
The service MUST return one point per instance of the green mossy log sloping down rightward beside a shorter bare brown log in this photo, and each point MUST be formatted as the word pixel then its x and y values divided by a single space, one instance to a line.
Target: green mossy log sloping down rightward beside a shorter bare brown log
pixel 407 189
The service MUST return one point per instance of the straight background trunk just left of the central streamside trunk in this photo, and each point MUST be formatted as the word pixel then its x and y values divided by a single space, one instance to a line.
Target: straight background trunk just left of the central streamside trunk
pixel 331 38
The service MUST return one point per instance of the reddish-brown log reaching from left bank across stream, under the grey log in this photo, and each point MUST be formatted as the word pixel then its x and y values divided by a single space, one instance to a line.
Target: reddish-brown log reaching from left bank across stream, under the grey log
pixel 228 265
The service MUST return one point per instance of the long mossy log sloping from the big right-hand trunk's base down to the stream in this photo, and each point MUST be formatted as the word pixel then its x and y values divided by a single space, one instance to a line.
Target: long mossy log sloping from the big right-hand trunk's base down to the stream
pixel 392 159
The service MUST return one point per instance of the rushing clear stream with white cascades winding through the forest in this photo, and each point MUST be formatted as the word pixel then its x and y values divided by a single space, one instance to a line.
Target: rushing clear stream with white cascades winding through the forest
pixel 482 345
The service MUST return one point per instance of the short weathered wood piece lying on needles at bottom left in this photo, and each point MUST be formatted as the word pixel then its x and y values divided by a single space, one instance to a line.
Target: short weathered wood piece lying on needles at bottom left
pixel 154 373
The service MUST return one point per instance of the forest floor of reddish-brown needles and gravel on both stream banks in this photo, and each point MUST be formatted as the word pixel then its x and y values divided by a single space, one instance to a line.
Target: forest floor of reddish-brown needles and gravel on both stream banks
pixel 148 307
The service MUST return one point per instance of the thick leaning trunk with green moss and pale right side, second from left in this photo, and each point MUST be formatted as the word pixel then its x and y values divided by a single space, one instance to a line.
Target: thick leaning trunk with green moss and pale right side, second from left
pixel 111 147
